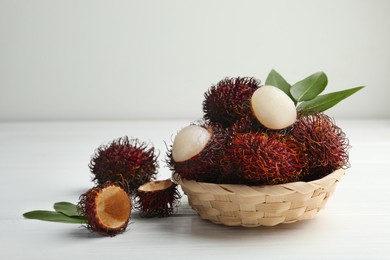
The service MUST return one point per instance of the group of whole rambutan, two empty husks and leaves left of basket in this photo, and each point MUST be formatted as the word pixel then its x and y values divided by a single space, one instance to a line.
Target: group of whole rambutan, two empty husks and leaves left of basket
pixel 124 172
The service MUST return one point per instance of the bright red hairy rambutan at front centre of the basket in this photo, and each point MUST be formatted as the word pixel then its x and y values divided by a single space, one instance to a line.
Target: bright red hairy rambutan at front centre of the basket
pixel 260 158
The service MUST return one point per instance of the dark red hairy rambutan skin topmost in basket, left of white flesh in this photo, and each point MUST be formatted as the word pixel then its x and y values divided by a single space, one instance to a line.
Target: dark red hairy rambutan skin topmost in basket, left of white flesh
pixel 229 100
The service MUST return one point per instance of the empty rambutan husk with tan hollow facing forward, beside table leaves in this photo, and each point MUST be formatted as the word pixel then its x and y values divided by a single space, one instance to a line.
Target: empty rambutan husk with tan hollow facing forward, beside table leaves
pixel 107 208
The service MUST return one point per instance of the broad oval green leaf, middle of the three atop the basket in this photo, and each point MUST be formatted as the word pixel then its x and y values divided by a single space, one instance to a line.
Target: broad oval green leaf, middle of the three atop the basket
pixel 309 87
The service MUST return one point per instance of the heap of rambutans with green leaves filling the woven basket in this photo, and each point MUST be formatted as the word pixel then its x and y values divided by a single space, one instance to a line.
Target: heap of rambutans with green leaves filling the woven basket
pixel 256 134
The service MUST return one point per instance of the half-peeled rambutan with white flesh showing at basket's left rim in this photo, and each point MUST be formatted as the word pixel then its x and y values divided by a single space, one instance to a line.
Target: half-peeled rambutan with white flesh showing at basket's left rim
pixel 196 151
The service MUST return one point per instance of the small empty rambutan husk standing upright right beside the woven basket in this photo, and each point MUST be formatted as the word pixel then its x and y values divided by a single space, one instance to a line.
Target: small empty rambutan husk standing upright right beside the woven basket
pixel 157 198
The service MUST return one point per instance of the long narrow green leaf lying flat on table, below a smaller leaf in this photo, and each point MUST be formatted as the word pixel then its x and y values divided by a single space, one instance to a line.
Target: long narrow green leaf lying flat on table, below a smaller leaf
pixel 54 216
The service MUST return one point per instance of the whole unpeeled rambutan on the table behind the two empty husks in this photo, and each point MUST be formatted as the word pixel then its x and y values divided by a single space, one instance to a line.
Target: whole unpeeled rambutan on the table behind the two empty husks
pixel 124 160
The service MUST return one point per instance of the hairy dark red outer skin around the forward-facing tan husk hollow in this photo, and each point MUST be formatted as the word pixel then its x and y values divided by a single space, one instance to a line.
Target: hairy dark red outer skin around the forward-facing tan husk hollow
pixel 87 207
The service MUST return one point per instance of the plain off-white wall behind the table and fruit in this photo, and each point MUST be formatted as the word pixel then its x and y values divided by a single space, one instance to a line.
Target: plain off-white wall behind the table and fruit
pixel 110 60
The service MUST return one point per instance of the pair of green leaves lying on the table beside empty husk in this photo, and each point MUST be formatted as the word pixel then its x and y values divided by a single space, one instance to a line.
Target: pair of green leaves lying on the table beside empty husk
pixel 65 212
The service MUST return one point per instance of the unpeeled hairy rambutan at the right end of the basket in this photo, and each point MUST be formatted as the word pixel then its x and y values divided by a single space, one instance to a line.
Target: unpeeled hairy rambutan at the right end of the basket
pixel 324 142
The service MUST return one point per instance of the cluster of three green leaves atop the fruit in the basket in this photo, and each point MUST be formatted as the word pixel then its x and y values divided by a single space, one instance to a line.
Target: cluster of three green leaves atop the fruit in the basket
pixel 306 93
